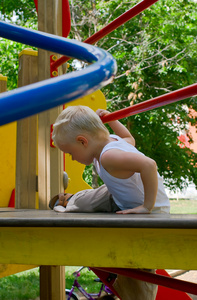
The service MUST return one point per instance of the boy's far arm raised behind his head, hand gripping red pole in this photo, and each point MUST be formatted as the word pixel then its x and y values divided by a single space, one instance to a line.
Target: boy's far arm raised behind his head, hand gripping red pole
pixel 118 128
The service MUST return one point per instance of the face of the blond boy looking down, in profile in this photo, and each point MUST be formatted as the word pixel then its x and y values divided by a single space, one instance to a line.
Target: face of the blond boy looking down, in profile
pixel 78 151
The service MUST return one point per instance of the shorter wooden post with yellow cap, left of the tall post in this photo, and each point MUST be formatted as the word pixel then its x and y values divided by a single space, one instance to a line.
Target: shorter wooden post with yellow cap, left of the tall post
pixel 26 149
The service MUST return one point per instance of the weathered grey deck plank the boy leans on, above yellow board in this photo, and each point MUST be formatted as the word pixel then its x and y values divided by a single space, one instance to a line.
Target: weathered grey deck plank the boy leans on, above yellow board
pixel 46 218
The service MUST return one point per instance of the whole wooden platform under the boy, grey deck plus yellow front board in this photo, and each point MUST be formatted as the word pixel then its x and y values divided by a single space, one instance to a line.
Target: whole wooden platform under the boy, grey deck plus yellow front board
pixel 102 240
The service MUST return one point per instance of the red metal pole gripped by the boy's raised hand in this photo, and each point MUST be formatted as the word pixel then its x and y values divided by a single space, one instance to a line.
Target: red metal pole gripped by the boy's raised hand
pixel 162 100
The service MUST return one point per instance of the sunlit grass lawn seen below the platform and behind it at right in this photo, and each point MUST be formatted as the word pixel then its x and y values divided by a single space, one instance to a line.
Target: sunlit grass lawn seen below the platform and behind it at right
pixel 25 285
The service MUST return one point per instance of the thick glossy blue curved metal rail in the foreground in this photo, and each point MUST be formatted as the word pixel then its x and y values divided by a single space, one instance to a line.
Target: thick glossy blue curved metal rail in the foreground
pixel 35 98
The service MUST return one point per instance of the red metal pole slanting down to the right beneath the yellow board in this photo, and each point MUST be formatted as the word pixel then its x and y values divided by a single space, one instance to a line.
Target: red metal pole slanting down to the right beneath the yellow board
pixel 169 282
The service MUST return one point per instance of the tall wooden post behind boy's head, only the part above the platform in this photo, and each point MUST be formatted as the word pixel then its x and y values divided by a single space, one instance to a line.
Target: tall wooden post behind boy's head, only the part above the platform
pixel 50 160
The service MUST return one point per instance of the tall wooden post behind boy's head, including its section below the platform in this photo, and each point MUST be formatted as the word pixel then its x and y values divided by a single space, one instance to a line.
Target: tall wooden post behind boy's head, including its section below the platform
pixel 50 160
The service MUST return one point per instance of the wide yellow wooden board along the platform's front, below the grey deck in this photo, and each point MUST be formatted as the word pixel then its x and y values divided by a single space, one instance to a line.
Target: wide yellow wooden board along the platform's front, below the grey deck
pixel 101 247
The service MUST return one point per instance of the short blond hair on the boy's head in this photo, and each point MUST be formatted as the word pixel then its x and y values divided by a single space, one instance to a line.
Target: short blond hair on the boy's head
pixel 77 120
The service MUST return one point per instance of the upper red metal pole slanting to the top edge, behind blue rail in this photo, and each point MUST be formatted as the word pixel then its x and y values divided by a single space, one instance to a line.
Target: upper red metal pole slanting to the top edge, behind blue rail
pixel 112 26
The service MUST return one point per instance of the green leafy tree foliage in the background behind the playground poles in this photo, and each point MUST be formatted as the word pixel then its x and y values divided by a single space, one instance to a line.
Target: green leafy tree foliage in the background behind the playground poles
pixel 156 53
